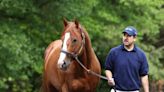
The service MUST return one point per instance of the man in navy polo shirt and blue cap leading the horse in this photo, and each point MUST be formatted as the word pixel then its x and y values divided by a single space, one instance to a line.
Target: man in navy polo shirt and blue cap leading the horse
pixel 126 65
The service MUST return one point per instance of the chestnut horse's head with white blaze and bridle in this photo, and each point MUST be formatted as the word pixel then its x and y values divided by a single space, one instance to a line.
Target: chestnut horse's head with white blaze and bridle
pixel 73 43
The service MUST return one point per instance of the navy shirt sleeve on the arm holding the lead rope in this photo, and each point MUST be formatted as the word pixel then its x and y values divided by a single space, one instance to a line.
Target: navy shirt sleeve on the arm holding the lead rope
pixel 109 61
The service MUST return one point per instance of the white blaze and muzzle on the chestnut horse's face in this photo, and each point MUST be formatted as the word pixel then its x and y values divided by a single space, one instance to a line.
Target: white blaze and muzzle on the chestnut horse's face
pixel 64 61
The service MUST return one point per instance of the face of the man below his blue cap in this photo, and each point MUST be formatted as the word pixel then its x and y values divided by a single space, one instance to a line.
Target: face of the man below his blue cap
pixel 128 40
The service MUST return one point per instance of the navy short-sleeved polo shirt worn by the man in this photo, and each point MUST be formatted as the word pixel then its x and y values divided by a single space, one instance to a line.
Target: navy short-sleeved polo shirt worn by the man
pixel 127 67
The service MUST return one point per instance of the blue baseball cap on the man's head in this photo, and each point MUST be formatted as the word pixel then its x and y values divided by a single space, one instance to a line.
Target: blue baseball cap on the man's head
pixel 130 30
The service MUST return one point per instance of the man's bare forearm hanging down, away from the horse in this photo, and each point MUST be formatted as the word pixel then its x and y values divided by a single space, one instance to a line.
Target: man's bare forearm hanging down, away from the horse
pixel 145 83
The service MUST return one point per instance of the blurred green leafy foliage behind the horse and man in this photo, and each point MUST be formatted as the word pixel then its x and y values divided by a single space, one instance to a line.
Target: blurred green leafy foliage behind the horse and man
pixel 28 26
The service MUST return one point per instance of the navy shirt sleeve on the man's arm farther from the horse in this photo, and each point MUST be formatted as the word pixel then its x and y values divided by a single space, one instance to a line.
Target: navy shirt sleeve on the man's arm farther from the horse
pixel 144 66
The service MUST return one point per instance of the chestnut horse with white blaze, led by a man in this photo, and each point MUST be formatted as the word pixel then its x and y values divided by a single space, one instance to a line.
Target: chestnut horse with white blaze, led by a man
pixel 68 60
